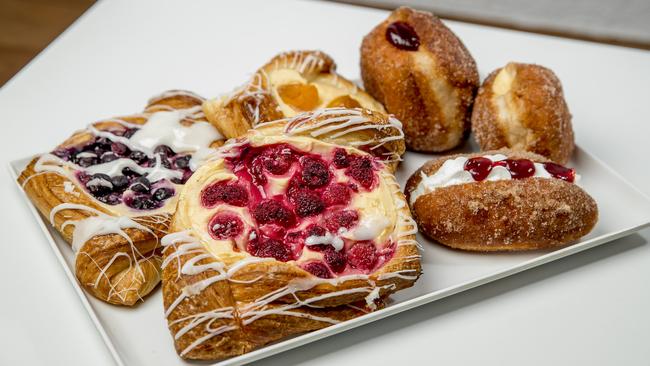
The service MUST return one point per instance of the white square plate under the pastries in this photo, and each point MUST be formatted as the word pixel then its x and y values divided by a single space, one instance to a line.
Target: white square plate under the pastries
pixel 139 336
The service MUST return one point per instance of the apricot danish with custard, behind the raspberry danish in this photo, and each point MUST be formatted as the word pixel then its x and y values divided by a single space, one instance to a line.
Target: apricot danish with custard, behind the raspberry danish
pixel 290 83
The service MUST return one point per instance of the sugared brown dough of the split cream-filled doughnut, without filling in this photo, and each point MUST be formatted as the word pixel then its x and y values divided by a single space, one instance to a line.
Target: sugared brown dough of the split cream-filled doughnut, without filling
pixel 503 215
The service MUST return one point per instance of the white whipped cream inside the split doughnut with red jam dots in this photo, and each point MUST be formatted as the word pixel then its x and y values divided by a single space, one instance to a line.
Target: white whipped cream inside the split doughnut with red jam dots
pixel 453 172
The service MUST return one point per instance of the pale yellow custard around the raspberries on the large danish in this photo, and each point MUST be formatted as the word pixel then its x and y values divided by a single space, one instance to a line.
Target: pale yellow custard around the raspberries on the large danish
pixel 377 211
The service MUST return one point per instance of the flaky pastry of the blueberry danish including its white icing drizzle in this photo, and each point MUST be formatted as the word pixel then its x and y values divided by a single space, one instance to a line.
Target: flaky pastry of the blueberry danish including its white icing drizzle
pixel 117 258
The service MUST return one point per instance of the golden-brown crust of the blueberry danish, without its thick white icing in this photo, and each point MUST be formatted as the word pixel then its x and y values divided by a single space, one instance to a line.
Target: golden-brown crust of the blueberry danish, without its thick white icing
pixel 119 268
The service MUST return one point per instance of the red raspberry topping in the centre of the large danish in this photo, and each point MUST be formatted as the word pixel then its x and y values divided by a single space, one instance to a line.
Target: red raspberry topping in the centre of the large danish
pixel 314 203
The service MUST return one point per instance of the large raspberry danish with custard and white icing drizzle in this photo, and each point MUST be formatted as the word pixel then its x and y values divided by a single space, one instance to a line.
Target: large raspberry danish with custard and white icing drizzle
pixel 280 234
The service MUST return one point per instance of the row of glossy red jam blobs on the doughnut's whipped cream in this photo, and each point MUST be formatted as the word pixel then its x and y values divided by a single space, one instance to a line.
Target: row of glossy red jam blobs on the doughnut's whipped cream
pixel 480 167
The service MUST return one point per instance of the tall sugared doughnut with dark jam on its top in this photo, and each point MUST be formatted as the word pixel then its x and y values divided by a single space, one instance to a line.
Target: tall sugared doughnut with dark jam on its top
pixel 424 75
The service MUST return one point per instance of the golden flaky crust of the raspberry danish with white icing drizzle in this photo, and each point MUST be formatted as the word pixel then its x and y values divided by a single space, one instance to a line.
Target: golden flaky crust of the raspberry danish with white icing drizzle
pixel 260 300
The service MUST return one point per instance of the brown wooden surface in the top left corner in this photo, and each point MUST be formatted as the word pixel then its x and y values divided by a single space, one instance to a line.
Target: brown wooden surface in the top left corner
pixel 28 26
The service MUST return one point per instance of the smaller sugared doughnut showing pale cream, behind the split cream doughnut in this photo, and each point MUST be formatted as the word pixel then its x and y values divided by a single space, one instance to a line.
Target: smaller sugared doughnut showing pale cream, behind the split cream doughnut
pixel 522 107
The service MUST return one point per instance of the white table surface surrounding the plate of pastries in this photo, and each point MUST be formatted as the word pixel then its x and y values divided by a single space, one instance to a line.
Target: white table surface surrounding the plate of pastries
pixel 591 308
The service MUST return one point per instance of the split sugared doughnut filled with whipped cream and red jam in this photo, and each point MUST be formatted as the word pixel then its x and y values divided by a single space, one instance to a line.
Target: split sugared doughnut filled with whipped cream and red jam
pixel 500 201
